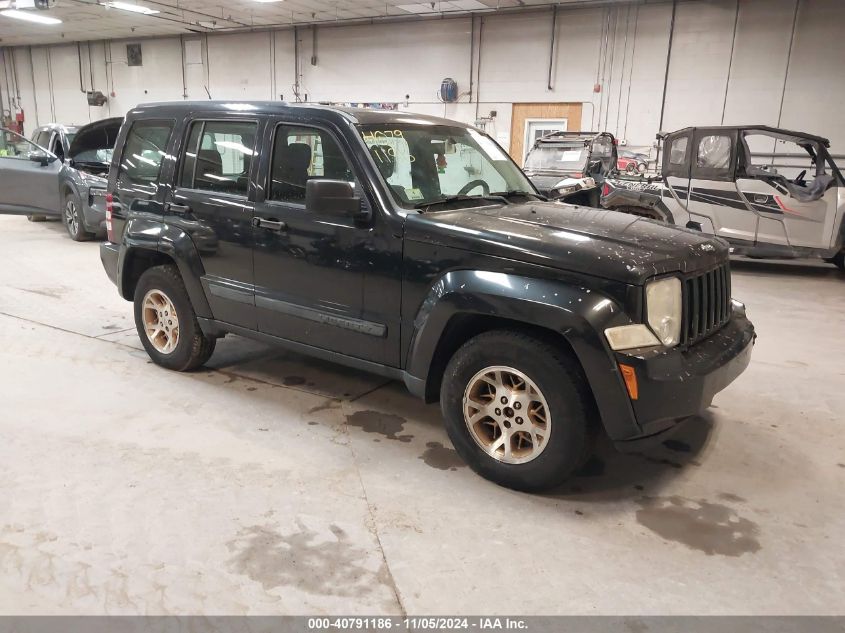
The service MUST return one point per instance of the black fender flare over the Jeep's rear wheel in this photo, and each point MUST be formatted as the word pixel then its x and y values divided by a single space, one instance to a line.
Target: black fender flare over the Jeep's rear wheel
pixel 148 235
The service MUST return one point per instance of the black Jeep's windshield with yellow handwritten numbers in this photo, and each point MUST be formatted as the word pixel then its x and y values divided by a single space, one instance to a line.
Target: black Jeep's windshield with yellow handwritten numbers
pixel 424 163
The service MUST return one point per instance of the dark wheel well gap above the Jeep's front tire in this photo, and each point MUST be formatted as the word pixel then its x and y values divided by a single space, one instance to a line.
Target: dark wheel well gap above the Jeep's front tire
pixel 463 327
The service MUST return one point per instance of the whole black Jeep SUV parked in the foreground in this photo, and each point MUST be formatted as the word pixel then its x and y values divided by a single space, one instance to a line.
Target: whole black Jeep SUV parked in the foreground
pixel 413 247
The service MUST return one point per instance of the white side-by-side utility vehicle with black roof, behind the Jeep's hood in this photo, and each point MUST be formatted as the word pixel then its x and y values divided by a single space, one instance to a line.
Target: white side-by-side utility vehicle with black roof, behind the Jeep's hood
pixel 769 192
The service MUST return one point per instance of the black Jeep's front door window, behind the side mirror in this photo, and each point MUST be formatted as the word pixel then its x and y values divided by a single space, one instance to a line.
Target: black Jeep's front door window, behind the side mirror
pixel 300 154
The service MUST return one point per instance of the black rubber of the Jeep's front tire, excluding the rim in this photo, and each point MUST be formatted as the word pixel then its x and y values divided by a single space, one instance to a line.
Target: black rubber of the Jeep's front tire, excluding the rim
pixel 557 375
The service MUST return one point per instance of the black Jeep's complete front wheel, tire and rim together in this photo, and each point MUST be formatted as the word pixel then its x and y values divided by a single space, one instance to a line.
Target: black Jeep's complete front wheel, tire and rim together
pixel 517 410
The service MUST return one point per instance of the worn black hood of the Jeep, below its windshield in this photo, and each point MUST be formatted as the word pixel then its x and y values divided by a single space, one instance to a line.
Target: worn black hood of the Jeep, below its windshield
pixel 595 242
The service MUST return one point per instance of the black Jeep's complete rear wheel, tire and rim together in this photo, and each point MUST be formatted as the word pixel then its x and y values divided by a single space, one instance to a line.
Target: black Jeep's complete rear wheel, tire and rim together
pixel 166 322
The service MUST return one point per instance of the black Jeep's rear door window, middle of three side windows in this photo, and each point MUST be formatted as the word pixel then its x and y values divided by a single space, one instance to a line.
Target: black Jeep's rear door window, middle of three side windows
pixel 218 156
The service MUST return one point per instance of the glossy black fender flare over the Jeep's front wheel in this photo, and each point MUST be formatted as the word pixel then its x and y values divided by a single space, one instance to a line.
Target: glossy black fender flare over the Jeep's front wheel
pixel 578 314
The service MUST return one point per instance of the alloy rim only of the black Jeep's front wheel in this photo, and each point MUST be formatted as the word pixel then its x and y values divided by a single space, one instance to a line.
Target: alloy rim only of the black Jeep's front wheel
pixel 507 415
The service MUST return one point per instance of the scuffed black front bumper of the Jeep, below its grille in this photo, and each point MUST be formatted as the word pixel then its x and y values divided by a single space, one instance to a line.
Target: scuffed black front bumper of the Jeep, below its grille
pixel 677 384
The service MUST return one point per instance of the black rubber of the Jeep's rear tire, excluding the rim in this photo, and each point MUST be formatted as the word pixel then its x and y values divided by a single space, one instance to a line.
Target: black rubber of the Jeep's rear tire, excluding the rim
pixel 193 347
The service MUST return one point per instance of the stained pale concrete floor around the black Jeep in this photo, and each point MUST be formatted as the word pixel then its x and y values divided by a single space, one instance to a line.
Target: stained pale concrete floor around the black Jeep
pixel 274 484
